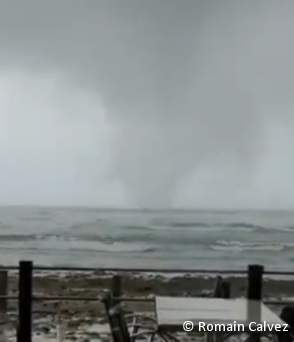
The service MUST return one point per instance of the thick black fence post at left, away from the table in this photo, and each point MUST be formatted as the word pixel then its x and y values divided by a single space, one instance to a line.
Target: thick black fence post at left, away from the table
pixel 25 297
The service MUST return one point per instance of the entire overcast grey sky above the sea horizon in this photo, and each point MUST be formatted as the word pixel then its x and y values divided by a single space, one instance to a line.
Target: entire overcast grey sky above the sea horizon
pixel 147 103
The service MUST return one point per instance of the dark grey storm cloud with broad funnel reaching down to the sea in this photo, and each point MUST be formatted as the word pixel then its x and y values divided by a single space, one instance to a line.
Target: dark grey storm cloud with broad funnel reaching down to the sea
pixel 181 81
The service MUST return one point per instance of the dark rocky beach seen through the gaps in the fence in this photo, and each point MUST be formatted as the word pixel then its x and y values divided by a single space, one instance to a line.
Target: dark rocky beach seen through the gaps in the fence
pixel 81 315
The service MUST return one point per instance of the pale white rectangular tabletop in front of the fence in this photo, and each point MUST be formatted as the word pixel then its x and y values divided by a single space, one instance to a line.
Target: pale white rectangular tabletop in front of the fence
pixel 173 312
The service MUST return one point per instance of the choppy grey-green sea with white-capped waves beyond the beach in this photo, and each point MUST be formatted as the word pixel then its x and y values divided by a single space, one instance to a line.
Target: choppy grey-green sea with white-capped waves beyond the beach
pixel 146 239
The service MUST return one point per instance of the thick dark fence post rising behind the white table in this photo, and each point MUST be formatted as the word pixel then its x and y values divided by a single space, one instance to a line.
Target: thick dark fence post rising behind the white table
pixel 254 295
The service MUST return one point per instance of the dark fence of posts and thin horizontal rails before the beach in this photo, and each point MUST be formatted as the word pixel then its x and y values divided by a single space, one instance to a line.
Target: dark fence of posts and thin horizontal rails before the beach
pixel 26 297
